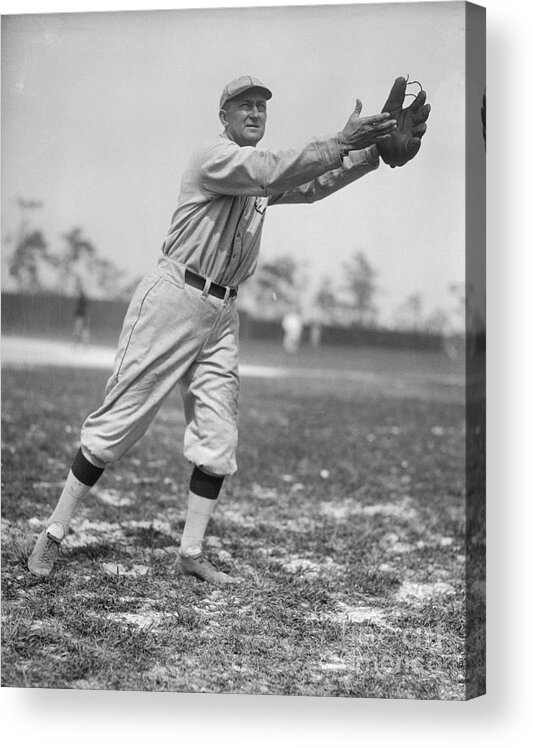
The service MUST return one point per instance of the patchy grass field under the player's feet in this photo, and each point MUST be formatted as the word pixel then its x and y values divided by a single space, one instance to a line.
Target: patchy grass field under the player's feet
pixel 345 521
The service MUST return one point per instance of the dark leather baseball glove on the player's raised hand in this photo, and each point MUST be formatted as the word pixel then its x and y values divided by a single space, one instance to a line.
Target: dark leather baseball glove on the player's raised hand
pixel 404 143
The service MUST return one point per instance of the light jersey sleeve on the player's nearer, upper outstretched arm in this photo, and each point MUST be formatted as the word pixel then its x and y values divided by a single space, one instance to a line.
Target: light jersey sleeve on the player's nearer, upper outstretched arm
pixel 229 169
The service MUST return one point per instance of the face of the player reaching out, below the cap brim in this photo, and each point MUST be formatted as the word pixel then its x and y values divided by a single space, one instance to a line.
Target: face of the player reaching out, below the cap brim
pixel 244 118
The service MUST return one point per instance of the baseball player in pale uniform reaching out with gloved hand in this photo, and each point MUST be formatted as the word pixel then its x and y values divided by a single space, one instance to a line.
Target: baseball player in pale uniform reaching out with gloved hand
pixel 181 328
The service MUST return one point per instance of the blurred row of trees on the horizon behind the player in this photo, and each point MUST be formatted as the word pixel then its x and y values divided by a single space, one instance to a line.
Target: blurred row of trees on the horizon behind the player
pixel 278 285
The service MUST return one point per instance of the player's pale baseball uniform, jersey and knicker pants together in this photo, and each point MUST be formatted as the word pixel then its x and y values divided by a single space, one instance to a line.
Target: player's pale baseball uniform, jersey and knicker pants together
pixel 177 334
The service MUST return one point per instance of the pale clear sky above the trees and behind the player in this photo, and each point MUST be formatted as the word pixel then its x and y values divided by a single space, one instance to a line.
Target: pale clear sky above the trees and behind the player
pixel 101 112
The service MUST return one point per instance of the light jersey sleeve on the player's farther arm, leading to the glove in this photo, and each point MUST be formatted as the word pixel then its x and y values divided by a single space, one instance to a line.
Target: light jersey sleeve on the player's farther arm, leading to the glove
pixel 355 166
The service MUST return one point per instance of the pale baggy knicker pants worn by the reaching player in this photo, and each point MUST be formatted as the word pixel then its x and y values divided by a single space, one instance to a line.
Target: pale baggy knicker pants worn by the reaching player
pixel 172 334
